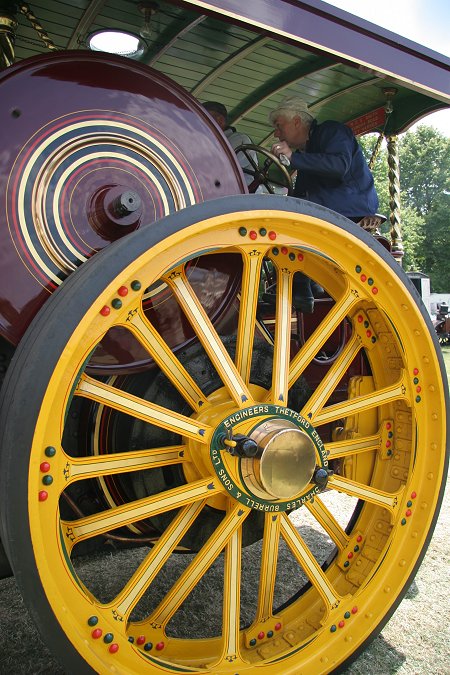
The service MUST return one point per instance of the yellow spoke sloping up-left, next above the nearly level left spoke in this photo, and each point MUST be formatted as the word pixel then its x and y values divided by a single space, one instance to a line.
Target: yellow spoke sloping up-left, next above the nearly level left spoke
pixel 137 407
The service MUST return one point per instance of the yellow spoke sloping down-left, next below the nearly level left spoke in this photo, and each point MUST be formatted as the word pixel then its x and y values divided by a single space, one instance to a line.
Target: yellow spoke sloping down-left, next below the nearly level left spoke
pixel 90 526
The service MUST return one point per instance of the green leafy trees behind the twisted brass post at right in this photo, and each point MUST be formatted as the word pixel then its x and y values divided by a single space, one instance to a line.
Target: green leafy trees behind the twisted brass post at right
pixel 425 188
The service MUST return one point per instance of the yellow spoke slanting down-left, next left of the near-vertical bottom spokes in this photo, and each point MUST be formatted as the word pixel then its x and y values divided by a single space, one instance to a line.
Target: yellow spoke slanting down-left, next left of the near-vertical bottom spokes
pixel 197 568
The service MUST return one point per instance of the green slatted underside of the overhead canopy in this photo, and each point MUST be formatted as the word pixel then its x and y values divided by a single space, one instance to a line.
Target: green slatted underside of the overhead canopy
pixel 248 71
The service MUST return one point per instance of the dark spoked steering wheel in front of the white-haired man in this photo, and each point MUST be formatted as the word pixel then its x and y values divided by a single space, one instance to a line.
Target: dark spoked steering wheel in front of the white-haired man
pixel 279 177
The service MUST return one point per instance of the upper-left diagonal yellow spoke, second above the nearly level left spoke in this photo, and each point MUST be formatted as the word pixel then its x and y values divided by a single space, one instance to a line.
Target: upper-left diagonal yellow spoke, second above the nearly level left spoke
pixel 152 341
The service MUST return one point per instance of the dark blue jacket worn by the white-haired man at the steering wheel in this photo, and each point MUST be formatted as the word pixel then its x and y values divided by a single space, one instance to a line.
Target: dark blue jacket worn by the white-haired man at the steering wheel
pixel 332 171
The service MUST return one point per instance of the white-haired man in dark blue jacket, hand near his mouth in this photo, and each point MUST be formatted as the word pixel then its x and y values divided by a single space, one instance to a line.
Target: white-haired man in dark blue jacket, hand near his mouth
pixel 331 169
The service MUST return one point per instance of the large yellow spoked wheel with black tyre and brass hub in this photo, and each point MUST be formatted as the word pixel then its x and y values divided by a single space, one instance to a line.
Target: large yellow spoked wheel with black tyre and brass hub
pixel 340 478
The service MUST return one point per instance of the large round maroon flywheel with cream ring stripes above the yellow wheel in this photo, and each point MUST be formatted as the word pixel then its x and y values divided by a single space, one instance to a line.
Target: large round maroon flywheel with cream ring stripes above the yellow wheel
pixel 80 131
